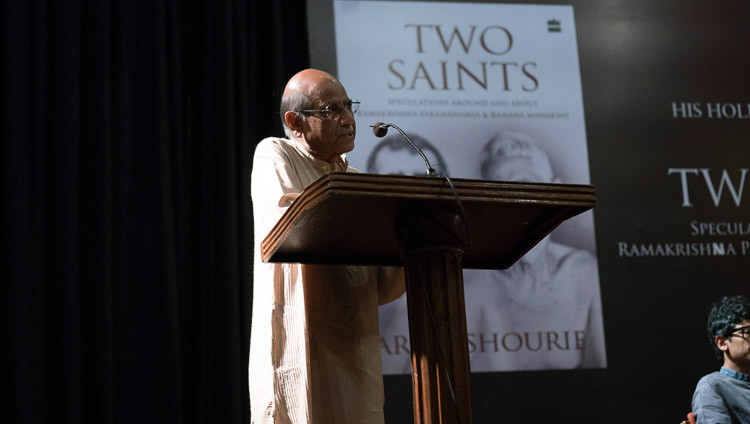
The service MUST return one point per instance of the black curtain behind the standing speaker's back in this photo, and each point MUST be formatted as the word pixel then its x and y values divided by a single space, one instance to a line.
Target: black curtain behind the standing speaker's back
pixel 128 129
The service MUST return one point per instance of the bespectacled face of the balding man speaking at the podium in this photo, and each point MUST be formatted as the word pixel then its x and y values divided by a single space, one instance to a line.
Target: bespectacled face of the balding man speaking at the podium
pixel 326 138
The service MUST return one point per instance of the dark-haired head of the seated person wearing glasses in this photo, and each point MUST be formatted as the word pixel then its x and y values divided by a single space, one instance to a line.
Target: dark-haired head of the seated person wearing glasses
pixel 726 317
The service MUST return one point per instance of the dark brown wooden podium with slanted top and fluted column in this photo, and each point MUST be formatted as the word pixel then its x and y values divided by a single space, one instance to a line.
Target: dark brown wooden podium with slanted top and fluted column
pixel 416 222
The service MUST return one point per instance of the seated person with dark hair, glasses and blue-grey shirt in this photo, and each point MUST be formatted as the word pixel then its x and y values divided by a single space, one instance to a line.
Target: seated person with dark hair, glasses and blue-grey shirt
pixel 724 396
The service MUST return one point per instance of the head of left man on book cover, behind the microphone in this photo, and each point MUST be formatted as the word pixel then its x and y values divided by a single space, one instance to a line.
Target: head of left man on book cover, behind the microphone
pixel 394 155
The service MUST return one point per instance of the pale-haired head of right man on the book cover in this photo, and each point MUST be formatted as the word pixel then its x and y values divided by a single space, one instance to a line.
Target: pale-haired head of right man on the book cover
pixel 512 156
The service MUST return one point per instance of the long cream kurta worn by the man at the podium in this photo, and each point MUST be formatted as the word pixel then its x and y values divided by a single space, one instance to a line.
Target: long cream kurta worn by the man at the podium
pixel 314 346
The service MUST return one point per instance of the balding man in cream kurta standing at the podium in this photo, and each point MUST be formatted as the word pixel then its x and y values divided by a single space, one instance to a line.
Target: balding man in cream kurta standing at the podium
pixel 314 346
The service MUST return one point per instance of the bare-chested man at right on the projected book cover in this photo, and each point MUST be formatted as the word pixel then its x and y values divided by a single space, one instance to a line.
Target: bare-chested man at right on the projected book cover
pixel 544 312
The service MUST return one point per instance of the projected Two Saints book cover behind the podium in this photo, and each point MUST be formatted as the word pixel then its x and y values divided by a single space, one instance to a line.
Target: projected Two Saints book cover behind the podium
pixel 489 91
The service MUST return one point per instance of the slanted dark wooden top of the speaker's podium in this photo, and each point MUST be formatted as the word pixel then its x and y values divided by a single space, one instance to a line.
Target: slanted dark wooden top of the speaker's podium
pixel 348 218
